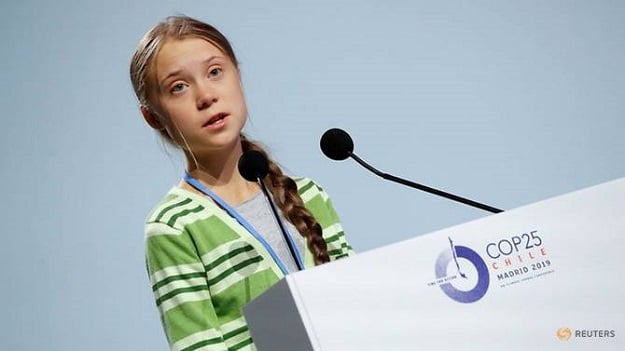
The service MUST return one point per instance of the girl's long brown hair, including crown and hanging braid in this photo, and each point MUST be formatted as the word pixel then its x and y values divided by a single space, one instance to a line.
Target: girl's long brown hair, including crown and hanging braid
pixel 283 188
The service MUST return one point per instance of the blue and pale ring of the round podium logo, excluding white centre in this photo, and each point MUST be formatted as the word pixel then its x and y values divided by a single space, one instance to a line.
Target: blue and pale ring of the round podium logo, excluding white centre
pixel 483 278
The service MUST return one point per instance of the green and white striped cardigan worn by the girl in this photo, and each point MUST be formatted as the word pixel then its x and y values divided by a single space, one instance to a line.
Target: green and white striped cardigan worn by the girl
pixel 204 266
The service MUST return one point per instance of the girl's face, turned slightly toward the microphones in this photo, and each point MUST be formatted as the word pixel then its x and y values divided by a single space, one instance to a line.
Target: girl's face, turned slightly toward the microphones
pixel 198 95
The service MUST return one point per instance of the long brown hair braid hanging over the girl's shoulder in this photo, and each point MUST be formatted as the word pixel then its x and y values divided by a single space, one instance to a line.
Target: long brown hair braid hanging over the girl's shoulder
pixel 284 191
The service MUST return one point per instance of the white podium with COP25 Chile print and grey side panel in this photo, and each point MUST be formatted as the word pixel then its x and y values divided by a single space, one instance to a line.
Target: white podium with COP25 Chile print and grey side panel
pixel 548 276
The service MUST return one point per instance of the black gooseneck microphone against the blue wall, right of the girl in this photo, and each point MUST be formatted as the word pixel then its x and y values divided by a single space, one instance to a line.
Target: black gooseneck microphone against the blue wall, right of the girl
pixel 338 145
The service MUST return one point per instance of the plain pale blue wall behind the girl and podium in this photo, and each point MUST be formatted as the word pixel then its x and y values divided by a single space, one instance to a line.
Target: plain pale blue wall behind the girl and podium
pixel 505 102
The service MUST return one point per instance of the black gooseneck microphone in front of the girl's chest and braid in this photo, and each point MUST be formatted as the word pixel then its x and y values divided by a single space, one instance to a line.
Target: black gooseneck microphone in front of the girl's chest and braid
pixel 254 166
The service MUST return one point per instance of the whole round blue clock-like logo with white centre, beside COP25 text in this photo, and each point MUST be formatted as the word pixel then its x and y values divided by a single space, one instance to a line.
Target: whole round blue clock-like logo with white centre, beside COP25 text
pixel 463 273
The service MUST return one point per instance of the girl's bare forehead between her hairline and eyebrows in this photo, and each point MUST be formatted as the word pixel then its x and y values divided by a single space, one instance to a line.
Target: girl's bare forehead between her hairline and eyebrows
pixel 178 54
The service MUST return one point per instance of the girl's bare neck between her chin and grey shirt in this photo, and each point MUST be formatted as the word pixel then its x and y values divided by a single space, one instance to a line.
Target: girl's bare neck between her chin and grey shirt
pixel 219 172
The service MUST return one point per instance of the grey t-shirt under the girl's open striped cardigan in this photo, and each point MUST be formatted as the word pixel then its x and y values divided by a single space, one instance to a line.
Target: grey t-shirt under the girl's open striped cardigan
pixel 258 213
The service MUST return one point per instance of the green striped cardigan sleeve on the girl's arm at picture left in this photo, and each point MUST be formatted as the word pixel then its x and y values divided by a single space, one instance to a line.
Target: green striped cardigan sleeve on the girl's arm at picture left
pixel 178 280
